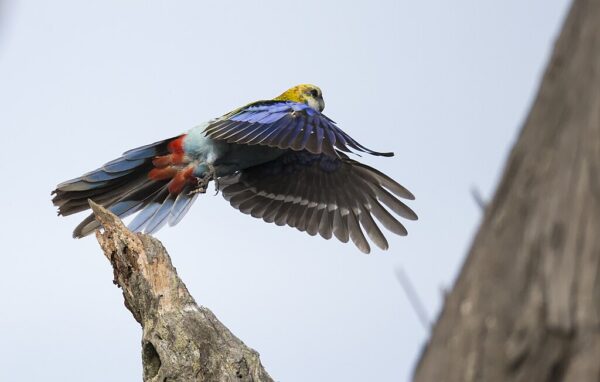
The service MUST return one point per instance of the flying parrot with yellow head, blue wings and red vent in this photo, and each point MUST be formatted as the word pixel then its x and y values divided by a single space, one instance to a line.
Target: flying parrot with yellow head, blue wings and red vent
pixel 281 160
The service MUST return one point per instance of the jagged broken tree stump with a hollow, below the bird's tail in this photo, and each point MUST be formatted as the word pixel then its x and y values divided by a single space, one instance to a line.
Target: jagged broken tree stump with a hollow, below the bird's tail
pixel 181 341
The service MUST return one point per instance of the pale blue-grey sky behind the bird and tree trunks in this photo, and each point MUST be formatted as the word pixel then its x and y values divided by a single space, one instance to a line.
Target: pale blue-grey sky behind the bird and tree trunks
pixel 445 85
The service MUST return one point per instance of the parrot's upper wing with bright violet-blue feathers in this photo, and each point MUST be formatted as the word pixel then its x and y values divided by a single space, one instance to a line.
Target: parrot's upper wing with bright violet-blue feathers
pixel 286 125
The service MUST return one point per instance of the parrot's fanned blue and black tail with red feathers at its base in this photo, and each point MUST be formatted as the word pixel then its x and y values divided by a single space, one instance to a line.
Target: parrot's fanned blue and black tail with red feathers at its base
pixel 152 180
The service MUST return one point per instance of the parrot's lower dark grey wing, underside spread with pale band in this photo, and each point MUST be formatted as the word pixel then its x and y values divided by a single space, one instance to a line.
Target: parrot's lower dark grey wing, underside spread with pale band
pixel 322 194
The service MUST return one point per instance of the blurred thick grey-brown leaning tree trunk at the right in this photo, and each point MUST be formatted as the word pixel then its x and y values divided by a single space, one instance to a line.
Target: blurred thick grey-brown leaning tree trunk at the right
pixel 526 306
